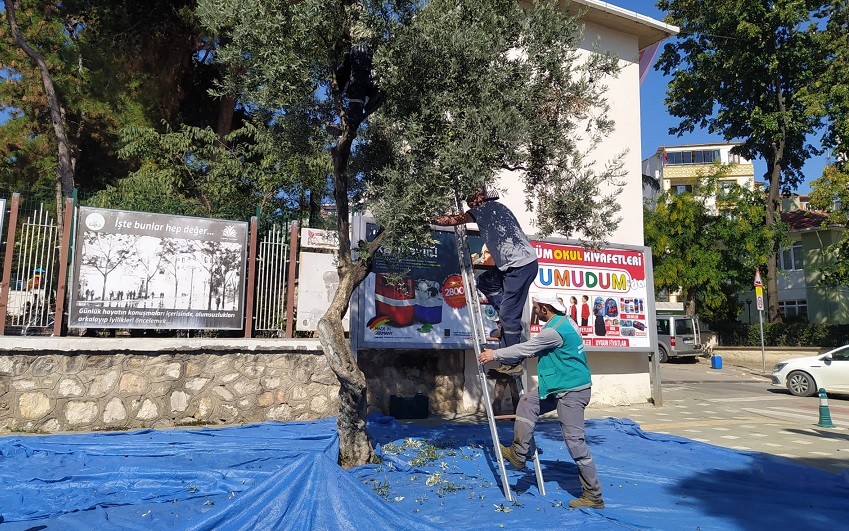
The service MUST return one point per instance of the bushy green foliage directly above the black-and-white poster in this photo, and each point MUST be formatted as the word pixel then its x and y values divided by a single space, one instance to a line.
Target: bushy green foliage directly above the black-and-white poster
pixel 194 171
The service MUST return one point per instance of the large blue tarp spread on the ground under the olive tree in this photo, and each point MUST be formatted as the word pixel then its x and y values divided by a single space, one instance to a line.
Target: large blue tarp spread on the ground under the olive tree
pixel 284 476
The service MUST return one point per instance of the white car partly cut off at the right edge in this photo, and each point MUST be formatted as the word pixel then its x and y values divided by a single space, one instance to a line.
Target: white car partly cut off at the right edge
pixel 805 376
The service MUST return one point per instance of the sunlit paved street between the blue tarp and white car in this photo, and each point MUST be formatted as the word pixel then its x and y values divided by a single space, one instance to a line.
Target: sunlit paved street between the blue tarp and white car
pixel 736 407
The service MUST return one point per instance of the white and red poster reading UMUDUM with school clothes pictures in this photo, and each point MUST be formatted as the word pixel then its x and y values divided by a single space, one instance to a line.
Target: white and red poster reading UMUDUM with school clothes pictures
pixel 607 292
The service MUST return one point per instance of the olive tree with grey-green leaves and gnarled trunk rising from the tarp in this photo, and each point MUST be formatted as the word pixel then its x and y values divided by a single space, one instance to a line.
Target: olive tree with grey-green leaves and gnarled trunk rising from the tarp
pixel 451 92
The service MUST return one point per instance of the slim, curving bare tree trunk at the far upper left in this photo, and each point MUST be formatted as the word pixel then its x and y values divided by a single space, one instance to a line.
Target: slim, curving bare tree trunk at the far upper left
pixel 65 174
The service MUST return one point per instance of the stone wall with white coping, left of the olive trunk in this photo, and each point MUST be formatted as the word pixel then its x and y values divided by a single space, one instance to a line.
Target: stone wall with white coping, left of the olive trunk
pixel 74 384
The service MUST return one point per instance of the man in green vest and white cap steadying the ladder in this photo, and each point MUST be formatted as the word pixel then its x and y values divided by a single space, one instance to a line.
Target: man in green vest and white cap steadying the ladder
pixel 564 384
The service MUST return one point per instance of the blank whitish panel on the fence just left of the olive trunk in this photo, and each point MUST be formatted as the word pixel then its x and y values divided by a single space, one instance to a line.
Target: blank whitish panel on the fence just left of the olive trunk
pixel 318 281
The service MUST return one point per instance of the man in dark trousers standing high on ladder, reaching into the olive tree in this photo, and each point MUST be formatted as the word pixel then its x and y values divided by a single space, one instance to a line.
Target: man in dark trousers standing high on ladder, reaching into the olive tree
pixel 505 287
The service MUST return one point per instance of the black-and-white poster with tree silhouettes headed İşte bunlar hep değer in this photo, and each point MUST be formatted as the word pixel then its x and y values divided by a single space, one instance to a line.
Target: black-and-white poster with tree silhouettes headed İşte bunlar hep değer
pixel 141 270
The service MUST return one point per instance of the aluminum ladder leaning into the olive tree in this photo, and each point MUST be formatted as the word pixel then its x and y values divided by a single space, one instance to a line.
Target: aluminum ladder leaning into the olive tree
pixel 480 341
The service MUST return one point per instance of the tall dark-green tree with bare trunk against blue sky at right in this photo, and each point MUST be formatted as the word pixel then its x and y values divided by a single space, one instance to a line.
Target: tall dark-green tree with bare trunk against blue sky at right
pixel 746 69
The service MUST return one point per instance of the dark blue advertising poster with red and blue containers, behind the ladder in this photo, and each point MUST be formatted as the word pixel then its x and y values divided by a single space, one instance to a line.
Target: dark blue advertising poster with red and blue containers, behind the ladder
pixel 425 306
